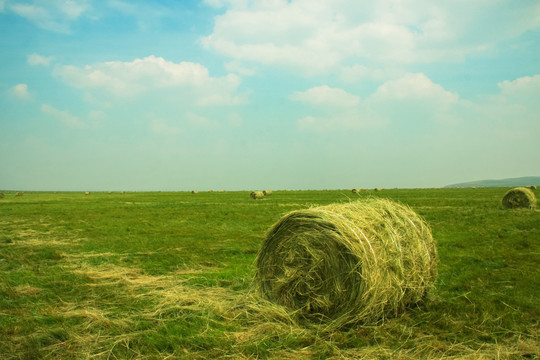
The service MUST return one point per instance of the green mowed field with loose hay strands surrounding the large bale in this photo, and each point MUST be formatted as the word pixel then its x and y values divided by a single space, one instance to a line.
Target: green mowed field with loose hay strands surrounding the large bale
pixel 168 275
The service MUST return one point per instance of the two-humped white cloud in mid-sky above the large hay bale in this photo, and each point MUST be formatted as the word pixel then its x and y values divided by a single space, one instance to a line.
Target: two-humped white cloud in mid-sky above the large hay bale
pixel 411 98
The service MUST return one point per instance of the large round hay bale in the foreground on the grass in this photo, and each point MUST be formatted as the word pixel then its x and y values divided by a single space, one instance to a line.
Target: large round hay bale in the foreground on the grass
pixel 347 263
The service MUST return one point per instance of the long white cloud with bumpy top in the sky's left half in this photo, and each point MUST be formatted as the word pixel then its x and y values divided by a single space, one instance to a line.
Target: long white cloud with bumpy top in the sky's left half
pixel 140 76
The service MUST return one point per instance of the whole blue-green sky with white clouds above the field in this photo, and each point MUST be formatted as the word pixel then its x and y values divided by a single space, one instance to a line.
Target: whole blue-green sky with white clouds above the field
pixel 270 94
